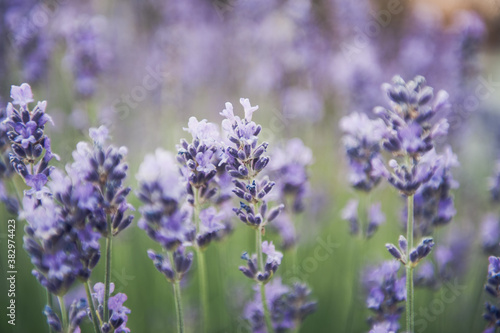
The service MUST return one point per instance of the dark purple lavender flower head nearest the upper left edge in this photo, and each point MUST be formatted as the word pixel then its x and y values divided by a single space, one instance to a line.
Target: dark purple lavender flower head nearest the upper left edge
pixel 31 151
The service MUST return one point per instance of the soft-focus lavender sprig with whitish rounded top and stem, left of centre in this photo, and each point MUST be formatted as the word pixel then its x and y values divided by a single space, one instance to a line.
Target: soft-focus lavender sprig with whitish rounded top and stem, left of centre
pixel 166 219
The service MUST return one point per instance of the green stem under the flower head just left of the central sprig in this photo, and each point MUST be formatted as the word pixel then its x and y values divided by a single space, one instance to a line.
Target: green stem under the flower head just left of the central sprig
pixel 202 272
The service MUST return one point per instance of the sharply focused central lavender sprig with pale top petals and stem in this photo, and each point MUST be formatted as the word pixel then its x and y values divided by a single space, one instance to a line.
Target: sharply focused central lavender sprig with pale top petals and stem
pixel 244 159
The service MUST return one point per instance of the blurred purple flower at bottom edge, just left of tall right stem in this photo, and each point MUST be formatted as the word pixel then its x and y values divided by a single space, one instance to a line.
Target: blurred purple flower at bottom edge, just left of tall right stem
pixel 386 291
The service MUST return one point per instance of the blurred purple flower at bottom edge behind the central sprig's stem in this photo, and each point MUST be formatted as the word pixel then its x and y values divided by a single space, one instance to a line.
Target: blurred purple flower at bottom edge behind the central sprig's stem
pixel 288 306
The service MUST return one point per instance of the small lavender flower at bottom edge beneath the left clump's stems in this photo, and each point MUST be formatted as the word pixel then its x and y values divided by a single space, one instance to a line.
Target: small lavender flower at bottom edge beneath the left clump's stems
pixel 118 313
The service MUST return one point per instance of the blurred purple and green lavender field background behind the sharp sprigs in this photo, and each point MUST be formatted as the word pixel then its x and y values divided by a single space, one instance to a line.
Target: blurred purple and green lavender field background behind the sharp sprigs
pixel 143 67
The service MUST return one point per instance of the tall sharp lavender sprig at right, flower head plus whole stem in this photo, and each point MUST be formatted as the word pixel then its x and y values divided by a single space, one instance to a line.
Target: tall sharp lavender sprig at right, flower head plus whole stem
pixel 411 135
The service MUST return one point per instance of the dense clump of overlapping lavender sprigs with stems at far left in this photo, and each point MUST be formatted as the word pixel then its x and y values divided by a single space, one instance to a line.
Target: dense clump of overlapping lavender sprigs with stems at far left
pixel 67 213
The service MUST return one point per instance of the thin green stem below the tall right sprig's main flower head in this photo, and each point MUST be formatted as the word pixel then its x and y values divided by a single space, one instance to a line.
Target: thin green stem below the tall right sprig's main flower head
pixel 409 270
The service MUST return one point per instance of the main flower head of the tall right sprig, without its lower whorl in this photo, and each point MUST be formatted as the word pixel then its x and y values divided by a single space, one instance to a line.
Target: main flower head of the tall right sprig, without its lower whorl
pixel 410 133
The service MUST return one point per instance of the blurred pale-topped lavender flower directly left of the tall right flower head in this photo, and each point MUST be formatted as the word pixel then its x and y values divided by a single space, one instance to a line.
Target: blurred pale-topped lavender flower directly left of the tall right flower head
pixel 362 139
